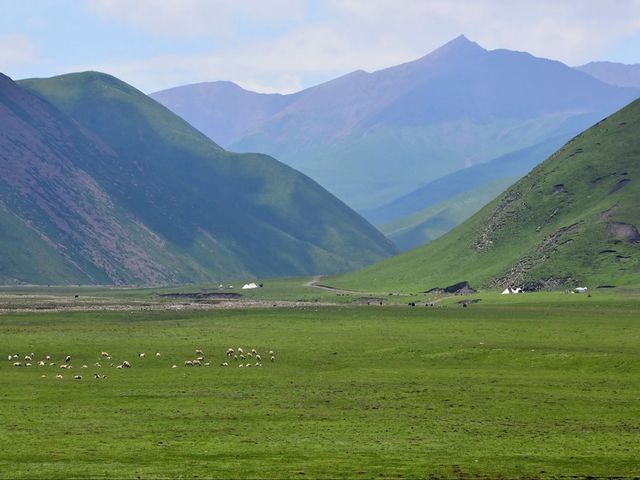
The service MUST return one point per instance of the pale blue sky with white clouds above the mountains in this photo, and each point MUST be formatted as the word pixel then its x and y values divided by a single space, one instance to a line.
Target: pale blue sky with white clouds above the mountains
pixel 287 45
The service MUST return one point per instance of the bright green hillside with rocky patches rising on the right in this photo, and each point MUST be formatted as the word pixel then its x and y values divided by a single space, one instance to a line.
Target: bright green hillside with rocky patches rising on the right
pixel 573 220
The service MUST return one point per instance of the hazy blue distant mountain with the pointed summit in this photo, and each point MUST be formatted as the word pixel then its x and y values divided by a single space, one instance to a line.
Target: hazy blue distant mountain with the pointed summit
pixel 371 138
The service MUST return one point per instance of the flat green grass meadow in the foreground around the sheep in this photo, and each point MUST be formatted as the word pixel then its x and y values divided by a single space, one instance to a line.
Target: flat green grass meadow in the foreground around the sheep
pixel 539 386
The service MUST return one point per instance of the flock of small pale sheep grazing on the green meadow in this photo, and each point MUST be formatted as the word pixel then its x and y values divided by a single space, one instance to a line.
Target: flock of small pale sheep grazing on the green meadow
pixel 251 358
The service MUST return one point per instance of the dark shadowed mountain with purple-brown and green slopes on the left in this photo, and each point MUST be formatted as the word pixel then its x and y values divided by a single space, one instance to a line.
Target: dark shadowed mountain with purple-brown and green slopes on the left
pixel 102 184
